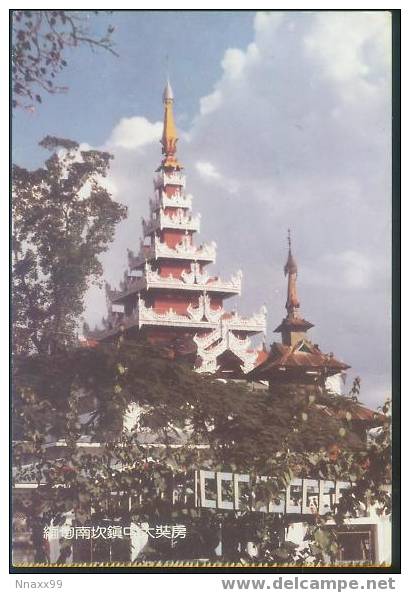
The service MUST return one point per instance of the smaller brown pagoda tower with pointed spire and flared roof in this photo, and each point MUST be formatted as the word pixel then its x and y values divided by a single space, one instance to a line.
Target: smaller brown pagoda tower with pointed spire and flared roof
pixel 296 360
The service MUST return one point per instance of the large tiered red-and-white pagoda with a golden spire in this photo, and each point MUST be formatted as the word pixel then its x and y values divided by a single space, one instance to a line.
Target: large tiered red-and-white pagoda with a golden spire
pixel 167 293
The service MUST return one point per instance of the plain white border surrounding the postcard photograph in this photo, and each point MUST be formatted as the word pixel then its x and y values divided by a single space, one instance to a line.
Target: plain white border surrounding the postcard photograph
pixel 188 582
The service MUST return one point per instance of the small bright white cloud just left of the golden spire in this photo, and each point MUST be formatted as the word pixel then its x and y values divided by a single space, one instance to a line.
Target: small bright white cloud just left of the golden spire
pixel 134 132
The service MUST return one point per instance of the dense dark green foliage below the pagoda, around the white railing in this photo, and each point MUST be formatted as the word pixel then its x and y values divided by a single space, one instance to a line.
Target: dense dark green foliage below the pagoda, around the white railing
pixel 242 431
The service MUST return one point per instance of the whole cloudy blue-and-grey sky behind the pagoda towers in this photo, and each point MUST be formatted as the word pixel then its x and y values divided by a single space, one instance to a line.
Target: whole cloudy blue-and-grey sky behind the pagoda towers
pixel 285 122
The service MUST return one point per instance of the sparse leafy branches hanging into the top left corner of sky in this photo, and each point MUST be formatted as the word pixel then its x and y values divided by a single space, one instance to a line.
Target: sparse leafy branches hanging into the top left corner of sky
pixel 40 41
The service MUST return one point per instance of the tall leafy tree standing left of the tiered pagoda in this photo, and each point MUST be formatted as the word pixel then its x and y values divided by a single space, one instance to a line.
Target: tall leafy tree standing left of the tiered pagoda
pixel 63 220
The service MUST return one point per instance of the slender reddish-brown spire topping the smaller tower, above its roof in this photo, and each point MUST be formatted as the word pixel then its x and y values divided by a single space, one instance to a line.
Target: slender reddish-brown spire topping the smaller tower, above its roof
pixel 293 328
